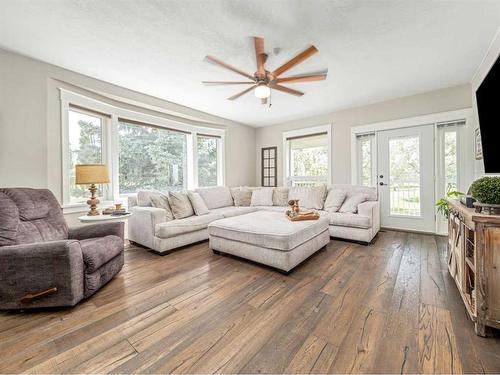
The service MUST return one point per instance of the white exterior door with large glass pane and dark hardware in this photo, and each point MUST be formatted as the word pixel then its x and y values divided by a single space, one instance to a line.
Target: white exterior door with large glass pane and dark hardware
pixel 405 177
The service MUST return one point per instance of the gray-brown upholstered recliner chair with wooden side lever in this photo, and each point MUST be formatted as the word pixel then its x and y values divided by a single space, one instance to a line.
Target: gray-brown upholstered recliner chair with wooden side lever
pixel 43 263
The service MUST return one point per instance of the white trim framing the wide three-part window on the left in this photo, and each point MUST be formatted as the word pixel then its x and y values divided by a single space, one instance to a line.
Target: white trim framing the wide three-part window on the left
pixel 110 144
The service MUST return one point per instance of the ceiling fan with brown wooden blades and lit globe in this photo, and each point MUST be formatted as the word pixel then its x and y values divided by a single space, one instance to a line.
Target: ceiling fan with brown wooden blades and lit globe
pixel 262 81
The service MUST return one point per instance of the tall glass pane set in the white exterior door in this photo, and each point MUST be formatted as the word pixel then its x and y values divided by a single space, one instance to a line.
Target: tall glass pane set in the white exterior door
pixel 404 171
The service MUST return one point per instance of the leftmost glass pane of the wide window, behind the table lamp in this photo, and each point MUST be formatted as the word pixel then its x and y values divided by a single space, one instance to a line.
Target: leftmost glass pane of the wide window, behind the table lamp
pixel 85 147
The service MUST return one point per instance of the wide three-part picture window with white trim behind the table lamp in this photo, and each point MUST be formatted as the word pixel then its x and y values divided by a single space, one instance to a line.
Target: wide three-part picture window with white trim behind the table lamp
pixel 142 151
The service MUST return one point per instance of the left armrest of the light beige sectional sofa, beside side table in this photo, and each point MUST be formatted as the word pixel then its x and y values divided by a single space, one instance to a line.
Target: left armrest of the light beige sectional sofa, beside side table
pixel 142 223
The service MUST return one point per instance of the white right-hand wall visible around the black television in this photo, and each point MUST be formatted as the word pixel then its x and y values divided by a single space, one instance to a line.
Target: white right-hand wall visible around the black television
pixel 479 76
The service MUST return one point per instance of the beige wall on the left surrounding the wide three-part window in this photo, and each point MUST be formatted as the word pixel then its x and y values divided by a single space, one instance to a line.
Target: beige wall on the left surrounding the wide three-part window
pixel 30 124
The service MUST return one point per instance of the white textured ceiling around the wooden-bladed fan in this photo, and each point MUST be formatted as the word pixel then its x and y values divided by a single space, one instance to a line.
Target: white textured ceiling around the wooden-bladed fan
pixel 374 50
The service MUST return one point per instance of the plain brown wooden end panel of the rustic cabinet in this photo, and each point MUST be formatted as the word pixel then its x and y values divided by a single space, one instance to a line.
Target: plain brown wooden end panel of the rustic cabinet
pixel 492 271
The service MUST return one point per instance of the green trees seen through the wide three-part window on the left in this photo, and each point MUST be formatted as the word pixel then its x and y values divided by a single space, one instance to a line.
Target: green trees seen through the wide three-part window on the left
pixel 149 158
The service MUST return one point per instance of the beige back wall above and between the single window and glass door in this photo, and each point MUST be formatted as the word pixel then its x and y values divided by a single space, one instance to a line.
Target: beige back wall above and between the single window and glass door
pixel 448 99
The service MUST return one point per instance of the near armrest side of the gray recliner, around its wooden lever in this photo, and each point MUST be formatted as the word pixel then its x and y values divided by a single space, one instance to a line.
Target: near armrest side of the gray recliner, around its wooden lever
pixel 38 267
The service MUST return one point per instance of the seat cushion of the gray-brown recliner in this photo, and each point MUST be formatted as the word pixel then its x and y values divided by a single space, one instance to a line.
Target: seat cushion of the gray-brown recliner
pixel 98 251
